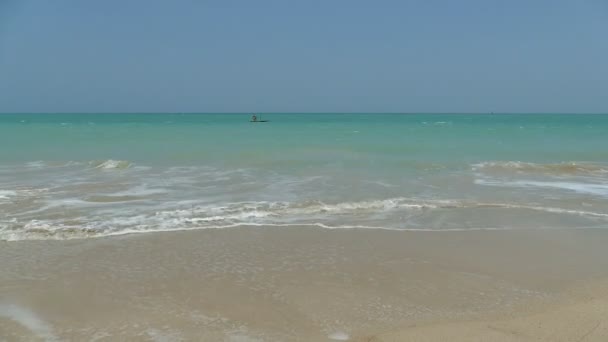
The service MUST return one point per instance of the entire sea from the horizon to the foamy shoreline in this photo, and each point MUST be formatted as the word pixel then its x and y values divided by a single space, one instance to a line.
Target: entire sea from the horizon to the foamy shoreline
pixel 80 175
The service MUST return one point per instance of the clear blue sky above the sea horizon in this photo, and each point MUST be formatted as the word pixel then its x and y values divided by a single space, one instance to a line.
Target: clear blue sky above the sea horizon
pixel 304 56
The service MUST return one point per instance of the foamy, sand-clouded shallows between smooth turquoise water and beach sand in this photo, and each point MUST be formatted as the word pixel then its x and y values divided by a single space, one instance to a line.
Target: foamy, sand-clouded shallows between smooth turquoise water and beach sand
pixel 82 202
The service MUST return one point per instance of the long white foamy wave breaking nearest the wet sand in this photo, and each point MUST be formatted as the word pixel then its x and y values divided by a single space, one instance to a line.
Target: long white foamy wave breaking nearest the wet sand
pixel 392 214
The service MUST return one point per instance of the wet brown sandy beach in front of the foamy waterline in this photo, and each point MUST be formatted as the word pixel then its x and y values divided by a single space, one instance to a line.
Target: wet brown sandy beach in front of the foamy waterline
pixel 304 284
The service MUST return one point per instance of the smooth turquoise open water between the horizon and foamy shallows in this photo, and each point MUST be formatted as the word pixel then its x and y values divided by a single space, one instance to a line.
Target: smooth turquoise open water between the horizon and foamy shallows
pixel 196 139
